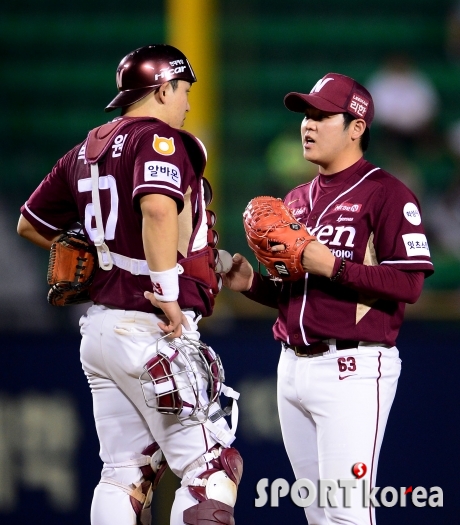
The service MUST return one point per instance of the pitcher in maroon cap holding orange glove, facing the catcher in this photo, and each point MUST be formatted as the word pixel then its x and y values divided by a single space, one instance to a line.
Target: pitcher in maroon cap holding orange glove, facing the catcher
pixel 344 254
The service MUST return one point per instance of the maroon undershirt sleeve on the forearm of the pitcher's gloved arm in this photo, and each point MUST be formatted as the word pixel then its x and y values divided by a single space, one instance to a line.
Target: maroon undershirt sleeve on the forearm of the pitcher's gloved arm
pixel 382 281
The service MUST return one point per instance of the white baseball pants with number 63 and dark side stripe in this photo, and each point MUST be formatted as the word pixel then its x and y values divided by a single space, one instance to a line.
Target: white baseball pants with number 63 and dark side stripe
pixel 333 410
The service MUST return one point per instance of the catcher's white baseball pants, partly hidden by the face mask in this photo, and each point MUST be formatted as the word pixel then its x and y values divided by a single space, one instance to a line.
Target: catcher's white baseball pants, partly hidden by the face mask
pixel 115 346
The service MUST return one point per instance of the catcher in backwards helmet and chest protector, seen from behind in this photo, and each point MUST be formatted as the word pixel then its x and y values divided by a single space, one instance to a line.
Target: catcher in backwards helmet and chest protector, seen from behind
pixel 143 202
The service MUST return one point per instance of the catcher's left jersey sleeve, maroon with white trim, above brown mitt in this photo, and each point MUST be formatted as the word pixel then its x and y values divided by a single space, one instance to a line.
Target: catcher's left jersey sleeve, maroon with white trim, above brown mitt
pixel 52 207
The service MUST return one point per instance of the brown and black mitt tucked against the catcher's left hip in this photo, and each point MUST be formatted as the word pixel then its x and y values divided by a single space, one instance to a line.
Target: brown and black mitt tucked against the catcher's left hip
pixel 71 270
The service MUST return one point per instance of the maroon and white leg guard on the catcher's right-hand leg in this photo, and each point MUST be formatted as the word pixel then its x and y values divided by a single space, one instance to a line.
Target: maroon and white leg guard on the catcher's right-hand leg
pixel 215 489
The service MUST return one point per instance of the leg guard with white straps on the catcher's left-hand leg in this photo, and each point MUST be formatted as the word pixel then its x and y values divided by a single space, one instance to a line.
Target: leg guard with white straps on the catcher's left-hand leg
pixel 153 466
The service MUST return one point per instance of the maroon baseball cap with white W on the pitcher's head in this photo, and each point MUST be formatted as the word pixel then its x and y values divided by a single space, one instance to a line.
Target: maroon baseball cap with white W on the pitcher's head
pixel 335 93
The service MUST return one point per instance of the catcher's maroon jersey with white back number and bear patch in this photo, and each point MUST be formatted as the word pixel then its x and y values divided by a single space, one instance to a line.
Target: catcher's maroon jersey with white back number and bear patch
pixel 146 156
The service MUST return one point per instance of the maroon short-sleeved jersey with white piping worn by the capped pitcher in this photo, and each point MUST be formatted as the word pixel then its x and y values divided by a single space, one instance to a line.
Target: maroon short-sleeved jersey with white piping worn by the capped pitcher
pixel 365 216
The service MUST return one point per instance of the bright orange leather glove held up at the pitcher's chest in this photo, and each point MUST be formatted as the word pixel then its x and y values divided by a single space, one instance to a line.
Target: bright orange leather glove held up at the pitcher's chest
pixel 268 222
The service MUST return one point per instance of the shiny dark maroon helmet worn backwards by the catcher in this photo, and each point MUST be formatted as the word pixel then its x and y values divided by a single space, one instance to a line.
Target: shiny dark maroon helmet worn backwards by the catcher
pixel 145 69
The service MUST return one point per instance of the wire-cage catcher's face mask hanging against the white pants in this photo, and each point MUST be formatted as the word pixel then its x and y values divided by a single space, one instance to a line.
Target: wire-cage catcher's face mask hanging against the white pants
pixel 183 378
